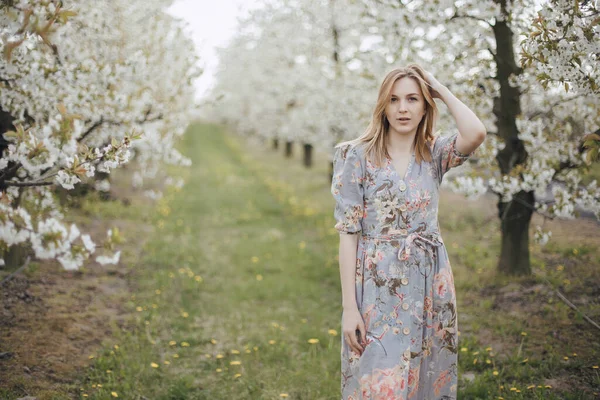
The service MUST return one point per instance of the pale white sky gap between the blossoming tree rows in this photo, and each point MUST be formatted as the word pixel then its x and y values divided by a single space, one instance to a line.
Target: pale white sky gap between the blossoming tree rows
pixel 211 24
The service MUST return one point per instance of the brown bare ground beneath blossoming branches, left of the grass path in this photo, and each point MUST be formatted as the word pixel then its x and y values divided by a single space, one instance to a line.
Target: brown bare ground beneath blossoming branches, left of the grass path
pixel 52 320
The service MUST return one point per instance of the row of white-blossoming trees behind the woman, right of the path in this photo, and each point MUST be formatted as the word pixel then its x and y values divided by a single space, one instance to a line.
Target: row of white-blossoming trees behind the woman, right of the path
pixel 308 71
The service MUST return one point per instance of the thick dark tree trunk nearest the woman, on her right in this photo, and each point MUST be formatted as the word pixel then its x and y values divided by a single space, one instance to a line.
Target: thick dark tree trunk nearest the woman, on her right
pixel 516 214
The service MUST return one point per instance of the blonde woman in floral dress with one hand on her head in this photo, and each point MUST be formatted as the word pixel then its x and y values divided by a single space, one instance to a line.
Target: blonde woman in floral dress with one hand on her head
pixel 399 305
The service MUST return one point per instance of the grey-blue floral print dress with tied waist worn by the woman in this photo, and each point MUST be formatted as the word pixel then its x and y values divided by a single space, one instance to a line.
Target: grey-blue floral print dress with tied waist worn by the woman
pixel 404 282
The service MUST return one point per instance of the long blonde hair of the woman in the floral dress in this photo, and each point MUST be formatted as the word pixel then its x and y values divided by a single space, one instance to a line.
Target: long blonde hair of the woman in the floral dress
pixel 374 136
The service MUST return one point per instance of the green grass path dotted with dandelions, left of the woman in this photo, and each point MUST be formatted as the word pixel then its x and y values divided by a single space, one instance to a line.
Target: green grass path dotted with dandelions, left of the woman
pixel 231 290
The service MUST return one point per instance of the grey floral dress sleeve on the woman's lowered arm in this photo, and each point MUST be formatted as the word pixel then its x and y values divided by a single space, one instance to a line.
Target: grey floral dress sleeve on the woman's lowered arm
pixel 347 190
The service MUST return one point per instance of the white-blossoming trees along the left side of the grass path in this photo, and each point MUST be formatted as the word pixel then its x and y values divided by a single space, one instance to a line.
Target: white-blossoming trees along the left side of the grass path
pixel 84 88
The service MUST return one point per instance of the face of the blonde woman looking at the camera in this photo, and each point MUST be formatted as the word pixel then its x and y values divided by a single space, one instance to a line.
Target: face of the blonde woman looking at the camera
pixel 405 107
